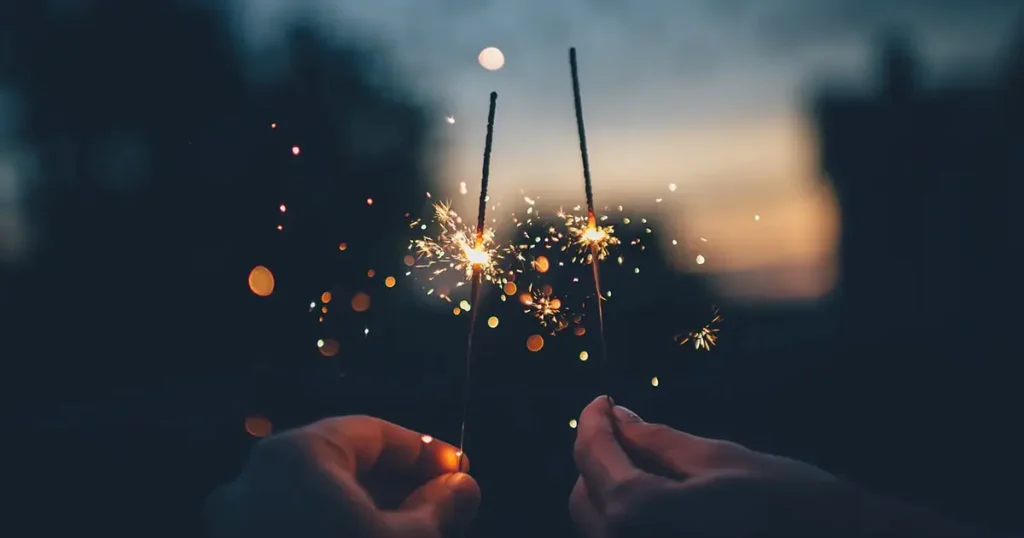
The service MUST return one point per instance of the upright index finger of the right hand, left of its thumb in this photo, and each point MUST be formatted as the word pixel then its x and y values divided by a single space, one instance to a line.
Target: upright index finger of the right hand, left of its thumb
pixel 603 463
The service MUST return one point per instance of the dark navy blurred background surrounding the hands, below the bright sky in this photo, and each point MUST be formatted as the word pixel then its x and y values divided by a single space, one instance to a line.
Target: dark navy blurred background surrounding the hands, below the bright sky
pixel 135 350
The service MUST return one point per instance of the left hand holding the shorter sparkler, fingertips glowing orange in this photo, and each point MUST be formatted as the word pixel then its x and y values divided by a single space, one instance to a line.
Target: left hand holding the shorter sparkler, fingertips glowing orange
pixel 352 477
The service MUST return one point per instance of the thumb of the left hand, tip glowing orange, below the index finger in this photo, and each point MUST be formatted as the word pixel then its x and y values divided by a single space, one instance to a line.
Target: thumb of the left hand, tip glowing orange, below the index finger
pixel 445 506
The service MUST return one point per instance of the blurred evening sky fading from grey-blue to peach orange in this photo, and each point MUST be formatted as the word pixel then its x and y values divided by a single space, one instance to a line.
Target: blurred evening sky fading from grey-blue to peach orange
pixel 708 96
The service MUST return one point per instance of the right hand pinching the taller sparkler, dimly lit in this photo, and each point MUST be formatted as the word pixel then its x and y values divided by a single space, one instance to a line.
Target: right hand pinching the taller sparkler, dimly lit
pixel 639 480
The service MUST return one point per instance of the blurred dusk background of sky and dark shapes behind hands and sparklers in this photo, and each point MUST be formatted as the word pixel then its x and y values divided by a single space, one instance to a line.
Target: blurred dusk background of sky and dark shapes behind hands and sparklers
pixel 835 178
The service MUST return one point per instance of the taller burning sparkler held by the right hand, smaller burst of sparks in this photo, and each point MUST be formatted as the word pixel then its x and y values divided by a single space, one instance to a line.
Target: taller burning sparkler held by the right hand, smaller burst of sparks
pixel 594 237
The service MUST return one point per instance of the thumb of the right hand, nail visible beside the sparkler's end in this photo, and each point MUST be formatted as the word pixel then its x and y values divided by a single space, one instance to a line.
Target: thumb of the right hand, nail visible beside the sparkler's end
pixel 665 451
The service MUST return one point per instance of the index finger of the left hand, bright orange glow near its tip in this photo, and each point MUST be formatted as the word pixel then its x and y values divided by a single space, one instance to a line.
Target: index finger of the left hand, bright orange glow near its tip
pixel 362 444
